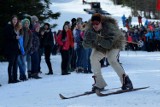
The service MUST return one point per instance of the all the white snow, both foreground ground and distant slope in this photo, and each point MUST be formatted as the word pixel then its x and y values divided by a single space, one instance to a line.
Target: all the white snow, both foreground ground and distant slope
pixel 142 67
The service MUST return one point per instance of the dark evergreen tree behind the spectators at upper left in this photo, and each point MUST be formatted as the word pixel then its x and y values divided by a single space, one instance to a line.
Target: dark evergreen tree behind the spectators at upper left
pixel 23 8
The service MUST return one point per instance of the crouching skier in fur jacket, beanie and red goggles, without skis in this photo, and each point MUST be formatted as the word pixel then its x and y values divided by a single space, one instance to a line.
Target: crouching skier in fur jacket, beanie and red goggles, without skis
pixel 106 40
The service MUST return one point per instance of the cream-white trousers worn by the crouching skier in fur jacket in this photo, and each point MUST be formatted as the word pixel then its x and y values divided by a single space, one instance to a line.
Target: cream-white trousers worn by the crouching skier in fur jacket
pixel 111 55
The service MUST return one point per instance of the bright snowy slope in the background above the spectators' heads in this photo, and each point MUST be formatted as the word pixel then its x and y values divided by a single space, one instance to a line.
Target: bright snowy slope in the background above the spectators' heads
pixel 73 8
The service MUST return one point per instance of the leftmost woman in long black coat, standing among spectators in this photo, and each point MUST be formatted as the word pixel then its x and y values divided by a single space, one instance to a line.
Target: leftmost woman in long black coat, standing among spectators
pixel 12 49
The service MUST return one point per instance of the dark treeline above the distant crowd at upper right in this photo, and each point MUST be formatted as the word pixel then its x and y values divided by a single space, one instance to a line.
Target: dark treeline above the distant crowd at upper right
pixel 146 8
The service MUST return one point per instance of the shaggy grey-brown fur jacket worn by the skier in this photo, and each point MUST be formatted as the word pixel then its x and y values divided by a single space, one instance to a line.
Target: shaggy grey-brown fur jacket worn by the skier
pixel 108 38
